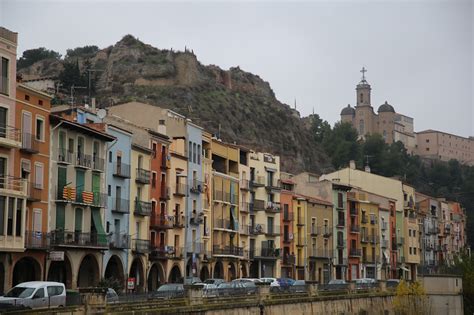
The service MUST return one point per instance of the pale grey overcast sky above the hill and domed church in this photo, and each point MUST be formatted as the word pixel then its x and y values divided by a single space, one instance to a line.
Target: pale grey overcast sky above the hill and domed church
pixel 419 54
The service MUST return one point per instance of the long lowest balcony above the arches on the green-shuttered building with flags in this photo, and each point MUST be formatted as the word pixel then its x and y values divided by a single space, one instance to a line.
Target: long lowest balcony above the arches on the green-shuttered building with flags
pixel 78 239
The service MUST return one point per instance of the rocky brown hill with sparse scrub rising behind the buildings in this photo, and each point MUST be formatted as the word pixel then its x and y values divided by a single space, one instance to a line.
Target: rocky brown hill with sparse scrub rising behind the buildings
pixel 238 105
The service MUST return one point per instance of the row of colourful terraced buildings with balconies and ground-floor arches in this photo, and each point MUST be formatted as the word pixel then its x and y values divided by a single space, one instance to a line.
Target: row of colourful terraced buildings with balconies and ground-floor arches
pixel 141 195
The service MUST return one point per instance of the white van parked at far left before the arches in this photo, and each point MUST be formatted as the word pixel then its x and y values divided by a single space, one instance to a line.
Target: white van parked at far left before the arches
pixel 36 294
